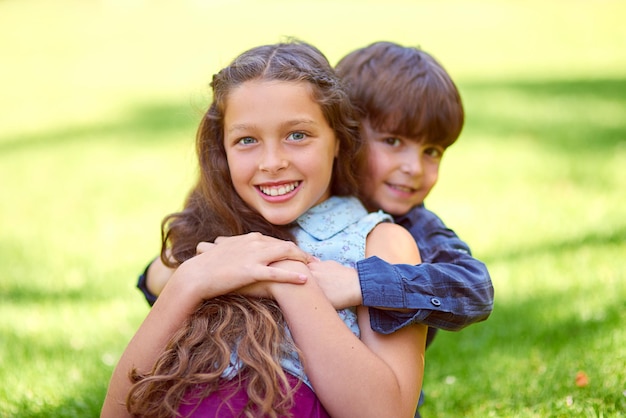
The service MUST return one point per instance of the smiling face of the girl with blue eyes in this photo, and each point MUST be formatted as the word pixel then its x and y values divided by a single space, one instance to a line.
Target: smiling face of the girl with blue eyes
pixel 280 148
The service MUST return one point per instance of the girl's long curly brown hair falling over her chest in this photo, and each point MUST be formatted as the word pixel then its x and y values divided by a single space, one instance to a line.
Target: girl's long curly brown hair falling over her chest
pixel 254 329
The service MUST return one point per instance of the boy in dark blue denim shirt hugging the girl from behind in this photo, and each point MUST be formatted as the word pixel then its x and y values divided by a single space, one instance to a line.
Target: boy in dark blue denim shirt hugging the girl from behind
pixel 410 112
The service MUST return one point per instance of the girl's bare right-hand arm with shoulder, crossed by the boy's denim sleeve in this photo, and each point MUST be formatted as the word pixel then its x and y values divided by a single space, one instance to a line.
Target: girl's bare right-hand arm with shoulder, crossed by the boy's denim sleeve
pixel 376 376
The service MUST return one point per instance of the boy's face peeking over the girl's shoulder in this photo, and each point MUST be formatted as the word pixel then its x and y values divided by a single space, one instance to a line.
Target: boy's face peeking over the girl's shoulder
pixel 401 171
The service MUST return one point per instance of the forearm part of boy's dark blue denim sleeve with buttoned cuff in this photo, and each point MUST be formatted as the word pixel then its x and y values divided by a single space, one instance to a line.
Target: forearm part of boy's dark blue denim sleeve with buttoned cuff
pixel 446 296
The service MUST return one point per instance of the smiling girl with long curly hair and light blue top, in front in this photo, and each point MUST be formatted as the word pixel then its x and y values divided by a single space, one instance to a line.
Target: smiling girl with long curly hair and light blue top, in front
pixel 277 149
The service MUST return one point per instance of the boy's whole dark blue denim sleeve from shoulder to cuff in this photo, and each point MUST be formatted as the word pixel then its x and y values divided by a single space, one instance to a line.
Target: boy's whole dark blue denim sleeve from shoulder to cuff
pixel 449 290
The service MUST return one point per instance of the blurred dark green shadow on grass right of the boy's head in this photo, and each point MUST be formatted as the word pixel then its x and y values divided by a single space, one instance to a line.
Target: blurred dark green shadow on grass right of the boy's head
pixel 569 116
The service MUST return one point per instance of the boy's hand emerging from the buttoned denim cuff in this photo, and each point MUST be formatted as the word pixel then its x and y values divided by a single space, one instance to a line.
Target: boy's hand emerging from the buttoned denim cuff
pixel 340 284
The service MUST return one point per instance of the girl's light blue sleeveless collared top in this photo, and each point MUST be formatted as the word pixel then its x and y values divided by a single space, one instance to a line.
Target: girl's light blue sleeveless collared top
pixel 336 229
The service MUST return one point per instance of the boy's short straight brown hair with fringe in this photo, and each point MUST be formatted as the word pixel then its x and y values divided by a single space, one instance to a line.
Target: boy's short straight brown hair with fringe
pixel 404 91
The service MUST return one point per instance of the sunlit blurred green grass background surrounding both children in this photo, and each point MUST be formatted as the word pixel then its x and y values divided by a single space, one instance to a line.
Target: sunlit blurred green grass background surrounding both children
pixel 98 107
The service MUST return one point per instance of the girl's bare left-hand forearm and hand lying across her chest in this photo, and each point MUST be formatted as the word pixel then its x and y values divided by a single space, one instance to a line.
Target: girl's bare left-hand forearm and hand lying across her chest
pixel 215 271
